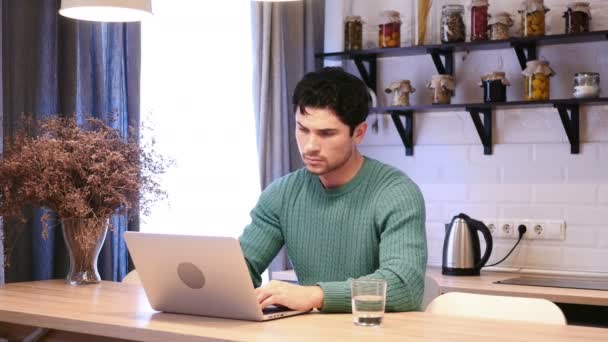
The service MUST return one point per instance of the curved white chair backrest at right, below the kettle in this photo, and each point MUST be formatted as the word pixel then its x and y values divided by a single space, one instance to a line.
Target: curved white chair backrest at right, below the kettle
pixel 533 310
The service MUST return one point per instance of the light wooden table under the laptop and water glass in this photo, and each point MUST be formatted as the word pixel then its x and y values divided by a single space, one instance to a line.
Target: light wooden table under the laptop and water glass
pixel 121 311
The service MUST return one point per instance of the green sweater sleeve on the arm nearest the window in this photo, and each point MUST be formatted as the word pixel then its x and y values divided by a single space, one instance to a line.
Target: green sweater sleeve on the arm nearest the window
pixel 262 238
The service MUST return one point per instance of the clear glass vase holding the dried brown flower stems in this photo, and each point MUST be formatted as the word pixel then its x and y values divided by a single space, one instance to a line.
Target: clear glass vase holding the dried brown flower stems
pixel 84 239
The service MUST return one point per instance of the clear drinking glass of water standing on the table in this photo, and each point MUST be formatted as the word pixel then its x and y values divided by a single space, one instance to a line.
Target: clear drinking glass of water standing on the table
pixel 368 301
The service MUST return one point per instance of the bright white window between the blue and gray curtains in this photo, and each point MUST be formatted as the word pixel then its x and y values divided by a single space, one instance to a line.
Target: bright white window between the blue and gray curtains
pixel 197 97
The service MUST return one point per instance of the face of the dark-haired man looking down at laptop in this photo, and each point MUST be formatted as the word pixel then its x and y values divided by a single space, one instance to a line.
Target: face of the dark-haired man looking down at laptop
pixel 325 143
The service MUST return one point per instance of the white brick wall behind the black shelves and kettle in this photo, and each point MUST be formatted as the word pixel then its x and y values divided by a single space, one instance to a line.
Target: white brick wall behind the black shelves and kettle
pixel 531 173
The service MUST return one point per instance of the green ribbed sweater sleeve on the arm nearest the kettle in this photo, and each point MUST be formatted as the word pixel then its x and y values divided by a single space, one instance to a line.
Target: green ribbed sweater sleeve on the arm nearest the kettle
pixel 400 216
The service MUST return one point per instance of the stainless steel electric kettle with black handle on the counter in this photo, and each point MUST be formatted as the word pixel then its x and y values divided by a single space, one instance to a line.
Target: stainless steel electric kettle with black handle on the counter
pixel 461 249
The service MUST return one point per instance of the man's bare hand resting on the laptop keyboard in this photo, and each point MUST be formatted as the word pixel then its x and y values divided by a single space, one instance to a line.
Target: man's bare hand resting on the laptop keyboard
pixel 295 297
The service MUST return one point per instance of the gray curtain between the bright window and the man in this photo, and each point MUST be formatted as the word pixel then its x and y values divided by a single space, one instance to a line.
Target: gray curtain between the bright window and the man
pixel 286 37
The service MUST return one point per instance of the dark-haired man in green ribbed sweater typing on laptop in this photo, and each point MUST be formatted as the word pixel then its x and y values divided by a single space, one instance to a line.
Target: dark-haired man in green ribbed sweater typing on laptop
pixel 341 217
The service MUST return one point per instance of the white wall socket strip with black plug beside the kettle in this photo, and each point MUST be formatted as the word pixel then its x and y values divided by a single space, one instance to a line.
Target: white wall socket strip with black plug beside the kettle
pixel 535 229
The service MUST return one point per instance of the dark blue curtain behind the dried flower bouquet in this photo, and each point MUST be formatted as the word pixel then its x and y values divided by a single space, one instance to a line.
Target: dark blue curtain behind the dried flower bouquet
pixel 59 66
